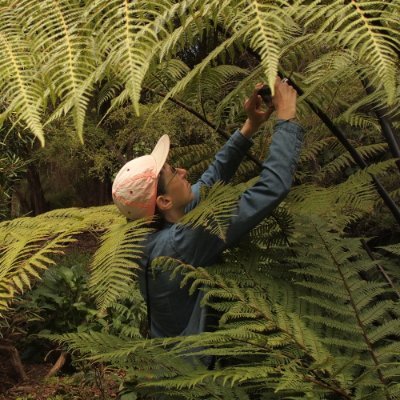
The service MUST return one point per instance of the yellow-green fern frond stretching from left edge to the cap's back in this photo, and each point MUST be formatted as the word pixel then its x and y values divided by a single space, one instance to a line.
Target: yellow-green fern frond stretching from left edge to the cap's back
pixel 29 246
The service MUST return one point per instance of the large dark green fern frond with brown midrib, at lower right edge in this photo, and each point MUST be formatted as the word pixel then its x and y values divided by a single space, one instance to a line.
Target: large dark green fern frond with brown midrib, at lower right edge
pixel 359 318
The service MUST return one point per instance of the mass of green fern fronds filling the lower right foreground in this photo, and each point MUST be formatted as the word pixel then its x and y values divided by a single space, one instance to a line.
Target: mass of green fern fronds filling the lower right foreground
pixel 326 327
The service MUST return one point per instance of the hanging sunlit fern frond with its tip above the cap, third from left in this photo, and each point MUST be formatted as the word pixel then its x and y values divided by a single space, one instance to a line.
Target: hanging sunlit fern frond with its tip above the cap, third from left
pixel 129 36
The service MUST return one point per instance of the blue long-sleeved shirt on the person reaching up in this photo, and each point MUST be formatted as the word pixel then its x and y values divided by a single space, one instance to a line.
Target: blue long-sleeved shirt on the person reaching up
pixel 173 311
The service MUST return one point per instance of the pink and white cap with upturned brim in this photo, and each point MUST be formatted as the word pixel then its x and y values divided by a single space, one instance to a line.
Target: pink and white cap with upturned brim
pixel 134 189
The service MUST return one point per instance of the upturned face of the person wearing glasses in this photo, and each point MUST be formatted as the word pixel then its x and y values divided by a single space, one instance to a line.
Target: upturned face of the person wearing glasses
pixel 176 185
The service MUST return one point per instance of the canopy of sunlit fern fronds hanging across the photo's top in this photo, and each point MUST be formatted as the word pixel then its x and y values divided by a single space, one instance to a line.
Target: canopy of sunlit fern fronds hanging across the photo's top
pixel 60 52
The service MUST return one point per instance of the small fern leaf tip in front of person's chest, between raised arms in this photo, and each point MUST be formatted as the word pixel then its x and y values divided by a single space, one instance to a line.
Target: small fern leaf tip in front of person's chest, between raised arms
pixel 215 209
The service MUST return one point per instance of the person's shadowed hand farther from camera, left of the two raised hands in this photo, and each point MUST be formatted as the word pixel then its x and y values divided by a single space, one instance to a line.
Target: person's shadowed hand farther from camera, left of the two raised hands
pixel 256 115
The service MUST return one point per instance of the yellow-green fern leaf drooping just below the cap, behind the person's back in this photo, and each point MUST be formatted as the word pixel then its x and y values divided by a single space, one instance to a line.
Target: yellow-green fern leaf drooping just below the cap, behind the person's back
pixel 114 263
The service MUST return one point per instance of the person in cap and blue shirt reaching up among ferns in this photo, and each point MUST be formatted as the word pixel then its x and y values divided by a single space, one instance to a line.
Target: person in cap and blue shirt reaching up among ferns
pixel 149 185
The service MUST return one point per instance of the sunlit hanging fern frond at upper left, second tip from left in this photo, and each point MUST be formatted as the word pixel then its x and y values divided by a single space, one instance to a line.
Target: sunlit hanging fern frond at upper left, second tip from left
pixel 61 42
